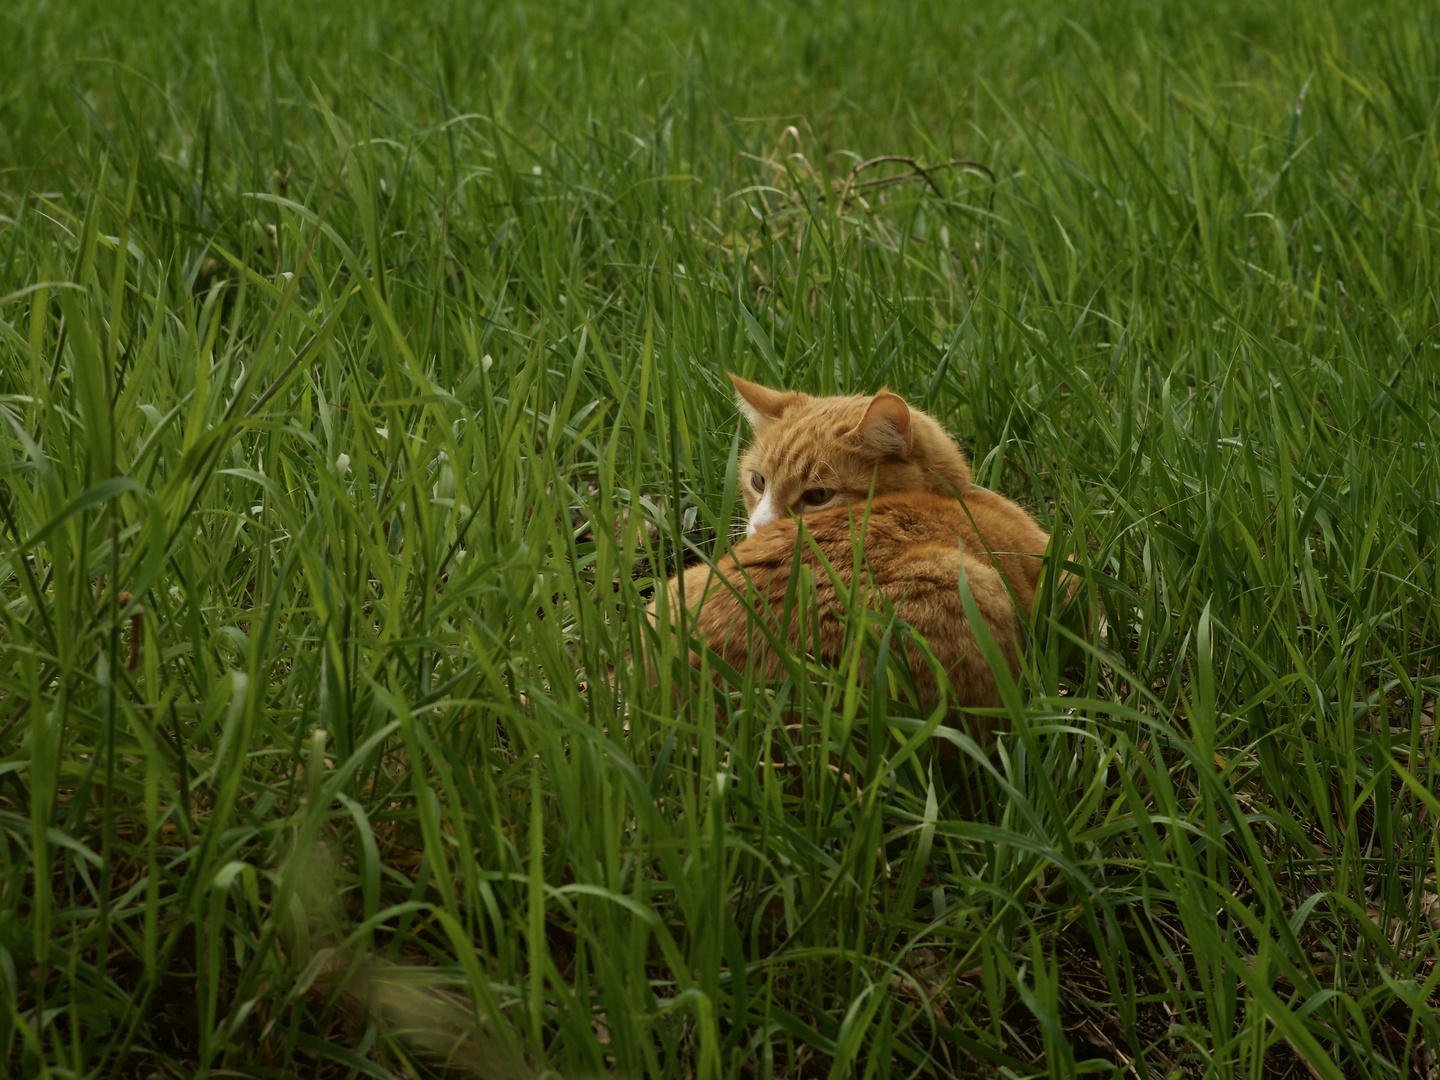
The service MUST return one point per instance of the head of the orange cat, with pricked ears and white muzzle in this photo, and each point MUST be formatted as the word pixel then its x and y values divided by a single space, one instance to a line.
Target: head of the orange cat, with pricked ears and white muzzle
pixel 817 453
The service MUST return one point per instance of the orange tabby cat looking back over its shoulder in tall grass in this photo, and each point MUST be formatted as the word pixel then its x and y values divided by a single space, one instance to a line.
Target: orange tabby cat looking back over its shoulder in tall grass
pixel 816 462
